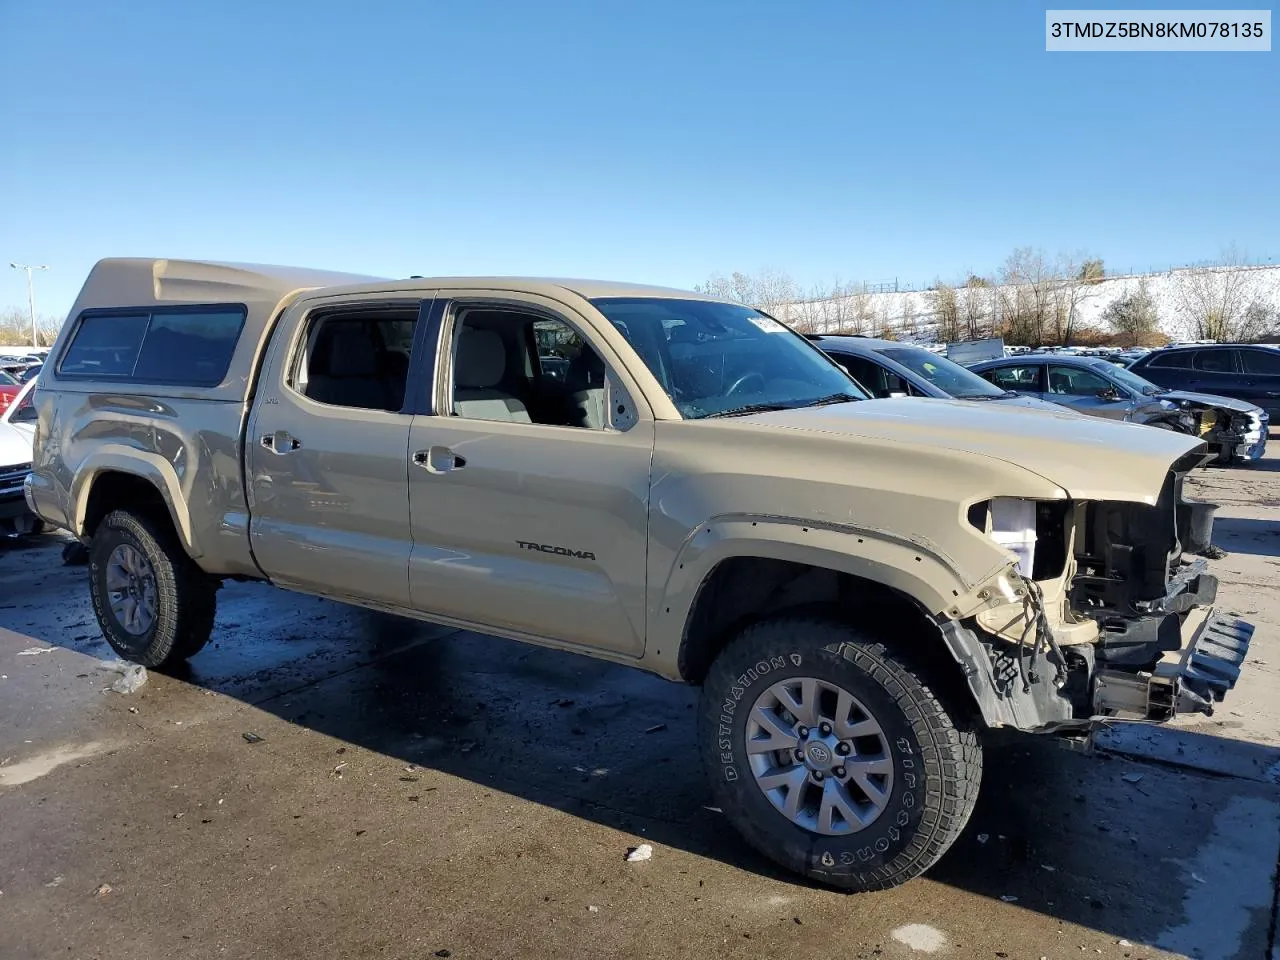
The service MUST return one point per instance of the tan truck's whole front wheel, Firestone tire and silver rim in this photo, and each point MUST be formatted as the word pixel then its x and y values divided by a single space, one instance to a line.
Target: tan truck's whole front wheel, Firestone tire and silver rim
pixel 833 755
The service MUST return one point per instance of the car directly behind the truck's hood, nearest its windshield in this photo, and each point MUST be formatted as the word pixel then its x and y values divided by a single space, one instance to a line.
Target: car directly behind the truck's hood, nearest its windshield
pixel 893 369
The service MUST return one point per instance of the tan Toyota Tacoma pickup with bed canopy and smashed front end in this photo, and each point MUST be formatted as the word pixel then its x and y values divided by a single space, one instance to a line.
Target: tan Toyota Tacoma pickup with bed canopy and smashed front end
pixel 651 477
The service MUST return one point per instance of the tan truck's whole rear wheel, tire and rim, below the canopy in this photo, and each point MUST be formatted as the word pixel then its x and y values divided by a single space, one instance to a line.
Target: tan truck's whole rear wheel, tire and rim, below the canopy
pixel 154 605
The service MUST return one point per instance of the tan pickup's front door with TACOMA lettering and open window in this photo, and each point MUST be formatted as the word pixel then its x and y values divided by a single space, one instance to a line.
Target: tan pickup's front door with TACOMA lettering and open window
pixel 529 481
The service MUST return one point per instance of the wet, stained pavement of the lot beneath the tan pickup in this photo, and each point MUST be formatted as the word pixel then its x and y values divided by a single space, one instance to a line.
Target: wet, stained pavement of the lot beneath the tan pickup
pixel 323 781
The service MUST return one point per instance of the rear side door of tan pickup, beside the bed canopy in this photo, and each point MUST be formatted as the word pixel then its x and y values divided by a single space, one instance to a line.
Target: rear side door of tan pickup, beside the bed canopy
pixel 327 450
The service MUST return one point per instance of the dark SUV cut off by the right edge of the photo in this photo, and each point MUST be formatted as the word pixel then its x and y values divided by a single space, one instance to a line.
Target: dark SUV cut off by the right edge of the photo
pixel 1247 373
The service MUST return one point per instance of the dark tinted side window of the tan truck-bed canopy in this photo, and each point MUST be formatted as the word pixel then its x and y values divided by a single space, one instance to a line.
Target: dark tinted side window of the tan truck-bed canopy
pixel 182 346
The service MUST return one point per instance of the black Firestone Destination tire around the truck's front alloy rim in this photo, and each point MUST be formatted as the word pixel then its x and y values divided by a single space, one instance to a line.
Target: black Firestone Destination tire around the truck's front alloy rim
pixel 938 758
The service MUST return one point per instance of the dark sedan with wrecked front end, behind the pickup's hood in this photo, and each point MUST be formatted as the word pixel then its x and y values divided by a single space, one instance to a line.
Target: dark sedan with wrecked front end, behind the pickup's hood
pixel 1232 428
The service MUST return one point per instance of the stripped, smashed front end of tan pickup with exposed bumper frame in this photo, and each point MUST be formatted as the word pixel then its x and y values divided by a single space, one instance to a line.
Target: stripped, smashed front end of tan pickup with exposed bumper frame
pixel 1116 620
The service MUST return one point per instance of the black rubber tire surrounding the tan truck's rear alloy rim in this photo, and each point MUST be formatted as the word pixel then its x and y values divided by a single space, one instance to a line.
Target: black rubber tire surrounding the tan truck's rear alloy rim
pixel 186 597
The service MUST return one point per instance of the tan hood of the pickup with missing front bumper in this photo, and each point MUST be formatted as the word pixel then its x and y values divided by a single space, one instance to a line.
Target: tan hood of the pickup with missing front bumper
pixel 1090 458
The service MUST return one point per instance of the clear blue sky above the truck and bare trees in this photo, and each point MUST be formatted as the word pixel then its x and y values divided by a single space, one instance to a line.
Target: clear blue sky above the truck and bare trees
pixel 656 143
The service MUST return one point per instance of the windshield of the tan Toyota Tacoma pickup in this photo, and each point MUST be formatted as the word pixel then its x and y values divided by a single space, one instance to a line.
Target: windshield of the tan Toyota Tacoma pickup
pixel 719 359
